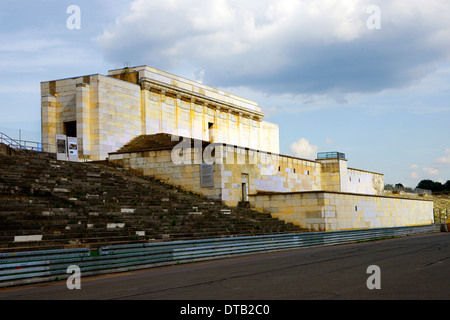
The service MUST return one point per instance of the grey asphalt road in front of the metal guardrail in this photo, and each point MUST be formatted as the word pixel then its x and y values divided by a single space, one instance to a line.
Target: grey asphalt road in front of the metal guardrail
pixel 415 267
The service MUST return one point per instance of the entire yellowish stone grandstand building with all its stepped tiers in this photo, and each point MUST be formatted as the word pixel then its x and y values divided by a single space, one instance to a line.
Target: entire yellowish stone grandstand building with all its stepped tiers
pixel 216 144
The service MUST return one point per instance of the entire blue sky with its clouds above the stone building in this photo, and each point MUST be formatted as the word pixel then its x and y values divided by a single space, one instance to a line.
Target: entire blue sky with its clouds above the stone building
pixel 334 75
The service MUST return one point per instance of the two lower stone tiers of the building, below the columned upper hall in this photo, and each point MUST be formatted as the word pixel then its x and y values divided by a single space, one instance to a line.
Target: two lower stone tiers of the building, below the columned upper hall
pixel 320 195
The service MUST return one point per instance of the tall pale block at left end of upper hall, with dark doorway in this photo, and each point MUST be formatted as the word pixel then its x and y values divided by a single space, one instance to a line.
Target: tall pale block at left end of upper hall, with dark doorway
pixel 106 111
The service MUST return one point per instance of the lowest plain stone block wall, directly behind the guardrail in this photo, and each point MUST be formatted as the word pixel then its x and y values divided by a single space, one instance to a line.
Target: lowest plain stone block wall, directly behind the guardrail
pixel 327 211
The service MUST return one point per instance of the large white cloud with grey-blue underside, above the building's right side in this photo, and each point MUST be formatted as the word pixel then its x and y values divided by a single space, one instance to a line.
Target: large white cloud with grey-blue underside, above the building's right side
pixel 285 46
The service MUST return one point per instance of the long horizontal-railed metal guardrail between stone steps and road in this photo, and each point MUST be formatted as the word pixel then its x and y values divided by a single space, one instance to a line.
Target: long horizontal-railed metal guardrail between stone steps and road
pixel 49 265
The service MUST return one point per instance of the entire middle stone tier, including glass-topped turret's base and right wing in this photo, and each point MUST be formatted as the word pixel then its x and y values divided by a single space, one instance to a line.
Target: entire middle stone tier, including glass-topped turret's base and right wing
pixel 263 172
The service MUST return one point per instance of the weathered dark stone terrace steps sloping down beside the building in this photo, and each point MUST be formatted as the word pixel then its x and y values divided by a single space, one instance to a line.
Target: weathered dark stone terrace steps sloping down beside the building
pixel 65 204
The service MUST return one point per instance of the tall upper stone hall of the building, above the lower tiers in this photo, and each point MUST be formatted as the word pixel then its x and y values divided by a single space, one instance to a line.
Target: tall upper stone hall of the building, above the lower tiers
pixel 105 112
